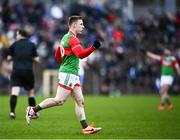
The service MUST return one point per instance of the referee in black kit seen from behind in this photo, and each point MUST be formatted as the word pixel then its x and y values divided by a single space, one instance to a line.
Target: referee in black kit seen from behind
pixel 23 53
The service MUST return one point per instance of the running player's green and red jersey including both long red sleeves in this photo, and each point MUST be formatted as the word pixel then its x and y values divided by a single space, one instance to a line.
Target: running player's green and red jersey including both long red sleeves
pixel 73 50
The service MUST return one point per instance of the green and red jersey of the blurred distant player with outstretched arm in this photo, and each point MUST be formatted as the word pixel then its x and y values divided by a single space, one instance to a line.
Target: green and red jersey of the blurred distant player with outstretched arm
pixel 167 65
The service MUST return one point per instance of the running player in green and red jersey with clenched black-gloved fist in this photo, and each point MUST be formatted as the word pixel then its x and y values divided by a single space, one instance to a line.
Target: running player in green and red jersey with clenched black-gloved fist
pixel 68 54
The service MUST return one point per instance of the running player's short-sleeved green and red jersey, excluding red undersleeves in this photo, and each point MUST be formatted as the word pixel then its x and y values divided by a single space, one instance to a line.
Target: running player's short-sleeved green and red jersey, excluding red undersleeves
pixel 70 62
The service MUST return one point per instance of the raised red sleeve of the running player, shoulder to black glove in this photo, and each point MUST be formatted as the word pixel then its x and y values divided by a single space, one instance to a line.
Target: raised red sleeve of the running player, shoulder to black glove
pixel 77 48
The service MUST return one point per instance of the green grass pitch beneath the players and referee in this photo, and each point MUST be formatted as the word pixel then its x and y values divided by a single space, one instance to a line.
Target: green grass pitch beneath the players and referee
pixel 123 117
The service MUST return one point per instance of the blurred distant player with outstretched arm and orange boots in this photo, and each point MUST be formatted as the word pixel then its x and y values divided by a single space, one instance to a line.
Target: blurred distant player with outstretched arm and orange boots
pixel 168 63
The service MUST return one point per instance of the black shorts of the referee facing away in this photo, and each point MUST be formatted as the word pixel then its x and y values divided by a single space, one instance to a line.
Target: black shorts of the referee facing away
pixel 23 78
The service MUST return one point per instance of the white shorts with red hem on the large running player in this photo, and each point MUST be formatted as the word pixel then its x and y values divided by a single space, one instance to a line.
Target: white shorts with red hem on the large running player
pixel 68 81
